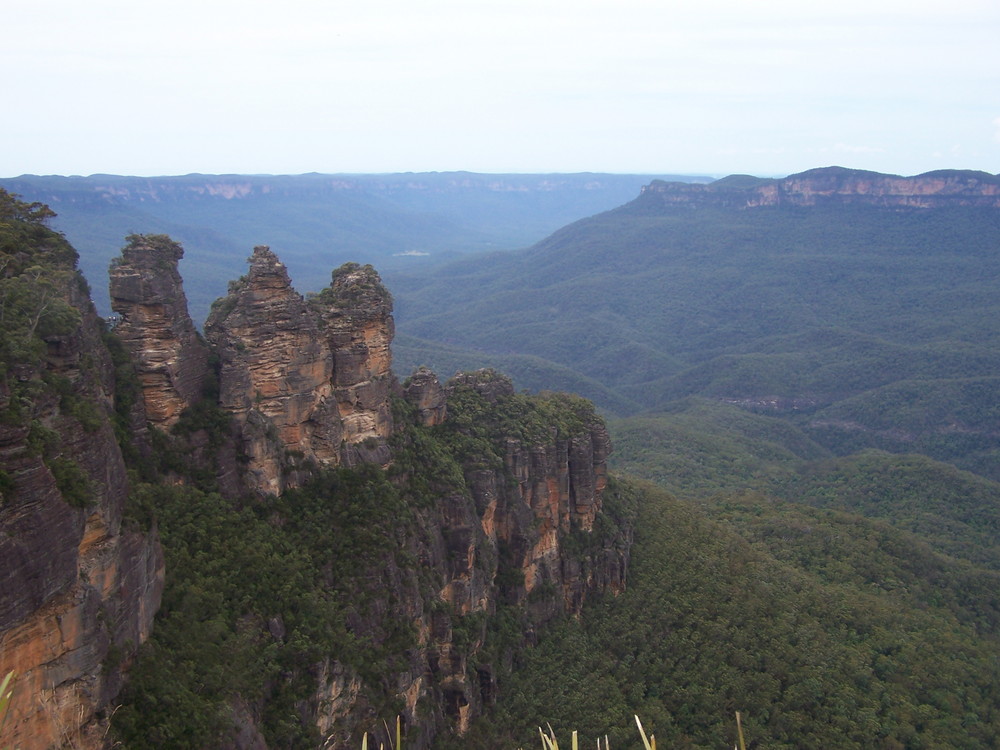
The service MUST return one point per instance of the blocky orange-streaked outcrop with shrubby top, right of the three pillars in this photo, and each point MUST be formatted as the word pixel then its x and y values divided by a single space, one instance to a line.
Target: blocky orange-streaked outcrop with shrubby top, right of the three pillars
pixel 505 540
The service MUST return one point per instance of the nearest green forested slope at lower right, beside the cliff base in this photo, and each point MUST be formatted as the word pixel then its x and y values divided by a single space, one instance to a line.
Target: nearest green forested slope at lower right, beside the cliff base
pixel 712 621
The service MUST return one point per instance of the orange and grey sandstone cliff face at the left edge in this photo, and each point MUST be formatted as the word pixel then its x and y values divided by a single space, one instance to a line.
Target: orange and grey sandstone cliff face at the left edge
pixel 78 590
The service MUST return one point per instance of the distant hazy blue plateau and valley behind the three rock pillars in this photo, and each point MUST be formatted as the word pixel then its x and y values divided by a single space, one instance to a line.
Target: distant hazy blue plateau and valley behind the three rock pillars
pixel 317 221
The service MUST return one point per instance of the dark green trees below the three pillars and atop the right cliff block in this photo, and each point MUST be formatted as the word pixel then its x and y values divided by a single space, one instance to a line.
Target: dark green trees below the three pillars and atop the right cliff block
pixel 263 595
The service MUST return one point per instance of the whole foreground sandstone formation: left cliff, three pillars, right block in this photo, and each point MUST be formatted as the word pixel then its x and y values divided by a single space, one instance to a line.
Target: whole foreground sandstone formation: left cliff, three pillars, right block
pixel 509 522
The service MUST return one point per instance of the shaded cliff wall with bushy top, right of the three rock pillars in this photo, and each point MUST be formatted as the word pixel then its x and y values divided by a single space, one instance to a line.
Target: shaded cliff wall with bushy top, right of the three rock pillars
pixel 507 490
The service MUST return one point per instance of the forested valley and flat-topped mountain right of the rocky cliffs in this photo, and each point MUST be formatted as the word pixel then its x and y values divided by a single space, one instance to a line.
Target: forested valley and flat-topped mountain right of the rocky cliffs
pixel 803 380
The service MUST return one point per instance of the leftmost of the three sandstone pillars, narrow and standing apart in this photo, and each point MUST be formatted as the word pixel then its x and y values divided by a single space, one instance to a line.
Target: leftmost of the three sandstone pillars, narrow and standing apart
pixel 171 359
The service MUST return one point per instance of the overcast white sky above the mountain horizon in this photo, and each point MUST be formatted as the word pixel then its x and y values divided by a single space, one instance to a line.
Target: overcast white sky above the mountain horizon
pixel 145 87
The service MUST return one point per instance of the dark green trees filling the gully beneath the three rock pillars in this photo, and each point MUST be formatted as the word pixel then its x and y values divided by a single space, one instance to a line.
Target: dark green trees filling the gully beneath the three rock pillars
pixel 257 598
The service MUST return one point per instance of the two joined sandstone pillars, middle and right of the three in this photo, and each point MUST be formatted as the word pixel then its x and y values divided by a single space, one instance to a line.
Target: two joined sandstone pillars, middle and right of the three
pixel 308 382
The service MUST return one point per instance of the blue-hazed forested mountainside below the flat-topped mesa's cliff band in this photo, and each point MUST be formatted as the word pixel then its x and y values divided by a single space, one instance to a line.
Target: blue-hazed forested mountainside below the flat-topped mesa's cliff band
pixel 868 326
